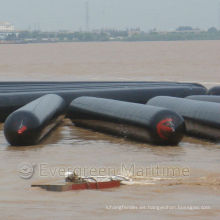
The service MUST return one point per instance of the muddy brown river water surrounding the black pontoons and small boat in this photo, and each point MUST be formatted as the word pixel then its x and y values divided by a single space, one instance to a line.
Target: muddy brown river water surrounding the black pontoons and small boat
pixel 192 192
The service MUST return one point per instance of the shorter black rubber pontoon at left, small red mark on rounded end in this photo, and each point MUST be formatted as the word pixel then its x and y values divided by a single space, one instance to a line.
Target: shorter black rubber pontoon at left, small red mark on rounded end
pixel 29 124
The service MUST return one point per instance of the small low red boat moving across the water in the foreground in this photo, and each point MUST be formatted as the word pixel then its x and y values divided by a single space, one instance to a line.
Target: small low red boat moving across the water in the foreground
pixel 75 182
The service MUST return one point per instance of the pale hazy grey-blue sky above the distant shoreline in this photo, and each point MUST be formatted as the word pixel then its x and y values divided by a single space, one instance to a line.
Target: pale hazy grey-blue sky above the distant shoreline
pixel 146 14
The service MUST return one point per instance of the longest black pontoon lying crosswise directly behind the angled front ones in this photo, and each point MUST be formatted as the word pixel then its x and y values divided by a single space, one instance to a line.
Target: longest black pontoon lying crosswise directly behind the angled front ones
pixel 11 101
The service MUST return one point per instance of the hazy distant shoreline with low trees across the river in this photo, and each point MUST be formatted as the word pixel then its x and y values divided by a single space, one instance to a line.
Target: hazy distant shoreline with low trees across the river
pixel 26 37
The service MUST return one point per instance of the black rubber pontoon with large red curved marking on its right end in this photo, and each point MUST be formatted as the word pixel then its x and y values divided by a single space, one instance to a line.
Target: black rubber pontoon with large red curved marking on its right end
pixel 141 122
